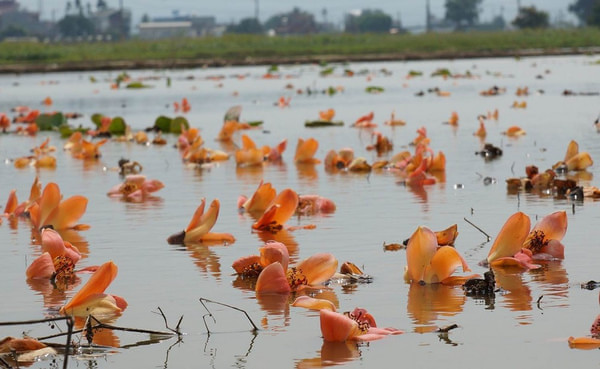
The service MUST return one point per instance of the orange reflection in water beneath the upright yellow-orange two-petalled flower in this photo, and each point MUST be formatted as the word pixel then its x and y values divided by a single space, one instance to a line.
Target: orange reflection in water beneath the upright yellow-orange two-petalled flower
pixel 426 302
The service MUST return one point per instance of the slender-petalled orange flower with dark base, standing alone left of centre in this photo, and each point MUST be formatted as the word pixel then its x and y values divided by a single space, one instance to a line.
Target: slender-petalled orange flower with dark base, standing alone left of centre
pixel 198 230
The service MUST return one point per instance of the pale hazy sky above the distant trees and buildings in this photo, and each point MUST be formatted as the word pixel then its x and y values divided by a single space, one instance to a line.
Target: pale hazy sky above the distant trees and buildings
pixel 411 12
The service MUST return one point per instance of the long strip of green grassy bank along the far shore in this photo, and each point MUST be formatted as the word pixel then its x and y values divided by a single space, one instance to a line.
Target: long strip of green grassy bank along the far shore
pixel 248 49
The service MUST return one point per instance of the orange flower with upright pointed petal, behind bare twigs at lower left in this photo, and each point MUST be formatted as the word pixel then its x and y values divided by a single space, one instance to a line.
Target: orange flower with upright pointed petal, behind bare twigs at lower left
pixel 91 299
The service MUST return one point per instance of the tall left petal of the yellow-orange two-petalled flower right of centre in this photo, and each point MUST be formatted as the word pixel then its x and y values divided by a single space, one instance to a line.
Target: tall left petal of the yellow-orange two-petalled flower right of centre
pixel 421 247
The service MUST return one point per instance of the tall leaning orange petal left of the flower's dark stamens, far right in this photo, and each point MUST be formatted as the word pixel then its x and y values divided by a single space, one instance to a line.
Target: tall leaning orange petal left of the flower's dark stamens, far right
pixel 511 237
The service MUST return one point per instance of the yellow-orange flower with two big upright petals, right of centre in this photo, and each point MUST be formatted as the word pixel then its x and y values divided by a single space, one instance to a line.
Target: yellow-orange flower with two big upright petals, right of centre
pixel 430 263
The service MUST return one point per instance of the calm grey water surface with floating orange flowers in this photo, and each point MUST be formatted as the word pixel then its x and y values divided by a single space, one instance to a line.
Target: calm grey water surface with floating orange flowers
pixel 529 321
